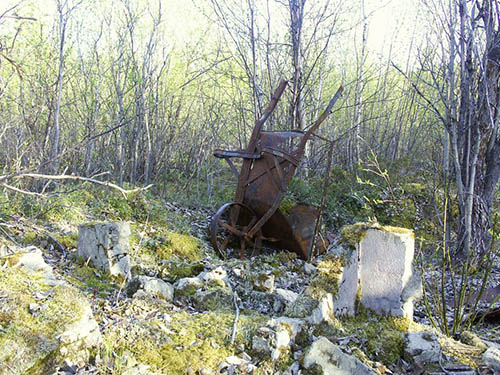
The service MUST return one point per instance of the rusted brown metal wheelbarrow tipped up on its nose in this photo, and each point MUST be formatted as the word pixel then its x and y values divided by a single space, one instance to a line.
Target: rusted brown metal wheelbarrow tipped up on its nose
pixel 269 163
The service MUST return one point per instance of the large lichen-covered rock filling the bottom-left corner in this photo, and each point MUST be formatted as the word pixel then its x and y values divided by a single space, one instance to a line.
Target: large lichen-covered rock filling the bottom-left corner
pixel 42 326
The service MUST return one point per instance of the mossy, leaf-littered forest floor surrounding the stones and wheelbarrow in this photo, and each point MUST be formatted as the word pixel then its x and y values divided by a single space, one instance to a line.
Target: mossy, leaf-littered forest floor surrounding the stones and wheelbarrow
pixel 189 335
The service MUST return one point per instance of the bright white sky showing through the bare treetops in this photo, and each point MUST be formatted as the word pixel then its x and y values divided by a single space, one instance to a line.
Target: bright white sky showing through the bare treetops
pixel 392 24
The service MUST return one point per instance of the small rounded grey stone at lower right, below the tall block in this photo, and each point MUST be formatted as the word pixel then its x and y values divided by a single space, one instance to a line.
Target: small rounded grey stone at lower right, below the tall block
pixel 422 347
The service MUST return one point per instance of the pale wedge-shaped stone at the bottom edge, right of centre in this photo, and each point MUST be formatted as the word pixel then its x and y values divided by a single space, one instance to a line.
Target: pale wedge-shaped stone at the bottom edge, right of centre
pixel 332 360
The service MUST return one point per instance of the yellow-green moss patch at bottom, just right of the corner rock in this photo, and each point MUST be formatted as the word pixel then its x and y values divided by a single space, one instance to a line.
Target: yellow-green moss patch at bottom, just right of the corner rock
pixel 196 341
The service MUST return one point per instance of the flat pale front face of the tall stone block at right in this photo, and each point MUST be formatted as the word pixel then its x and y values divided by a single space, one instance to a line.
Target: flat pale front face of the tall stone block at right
pixel 385 270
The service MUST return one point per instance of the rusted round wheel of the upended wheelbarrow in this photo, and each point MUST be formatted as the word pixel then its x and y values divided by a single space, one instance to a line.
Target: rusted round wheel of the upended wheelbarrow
pixel 229 226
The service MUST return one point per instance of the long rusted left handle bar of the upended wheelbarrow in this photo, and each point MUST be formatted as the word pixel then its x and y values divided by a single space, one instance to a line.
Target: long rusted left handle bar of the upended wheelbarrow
pixel 252 147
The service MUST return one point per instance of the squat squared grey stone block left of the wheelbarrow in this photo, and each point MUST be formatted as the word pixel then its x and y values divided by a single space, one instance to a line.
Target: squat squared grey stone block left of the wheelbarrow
pixel 107 246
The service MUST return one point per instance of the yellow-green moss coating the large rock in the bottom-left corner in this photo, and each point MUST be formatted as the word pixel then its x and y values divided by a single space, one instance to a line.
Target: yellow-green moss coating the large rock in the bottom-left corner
pixel 28 337
